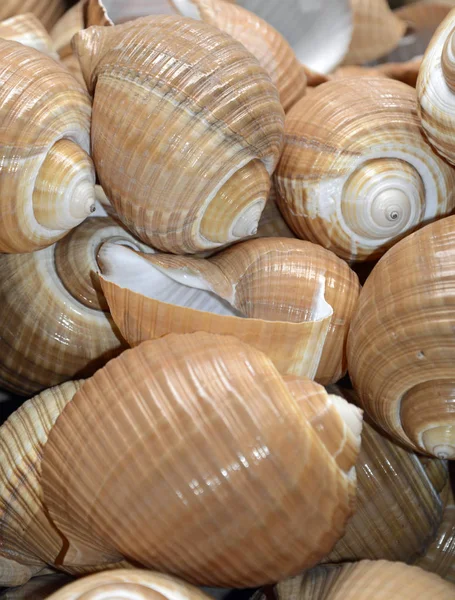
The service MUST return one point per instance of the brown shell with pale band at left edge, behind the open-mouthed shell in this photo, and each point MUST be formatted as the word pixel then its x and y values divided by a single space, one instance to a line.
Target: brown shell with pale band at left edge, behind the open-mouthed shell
pixel 54 323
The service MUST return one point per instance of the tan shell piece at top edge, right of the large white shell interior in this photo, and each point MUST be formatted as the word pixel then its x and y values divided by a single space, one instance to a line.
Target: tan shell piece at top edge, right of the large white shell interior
pixel 377 31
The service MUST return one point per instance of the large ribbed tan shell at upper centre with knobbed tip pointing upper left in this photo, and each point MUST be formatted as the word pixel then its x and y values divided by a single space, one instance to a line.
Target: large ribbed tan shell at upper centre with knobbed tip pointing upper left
pixel 188 166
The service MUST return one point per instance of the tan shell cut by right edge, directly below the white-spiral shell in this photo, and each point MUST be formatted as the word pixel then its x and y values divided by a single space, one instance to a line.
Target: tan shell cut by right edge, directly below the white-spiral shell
pixel 401 345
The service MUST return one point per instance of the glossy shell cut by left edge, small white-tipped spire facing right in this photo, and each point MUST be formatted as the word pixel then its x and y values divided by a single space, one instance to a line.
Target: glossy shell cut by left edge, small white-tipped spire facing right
pixel 46 176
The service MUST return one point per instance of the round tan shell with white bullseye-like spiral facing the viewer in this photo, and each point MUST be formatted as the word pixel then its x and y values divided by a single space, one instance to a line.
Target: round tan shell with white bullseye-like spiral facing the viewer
pixel 357 172
